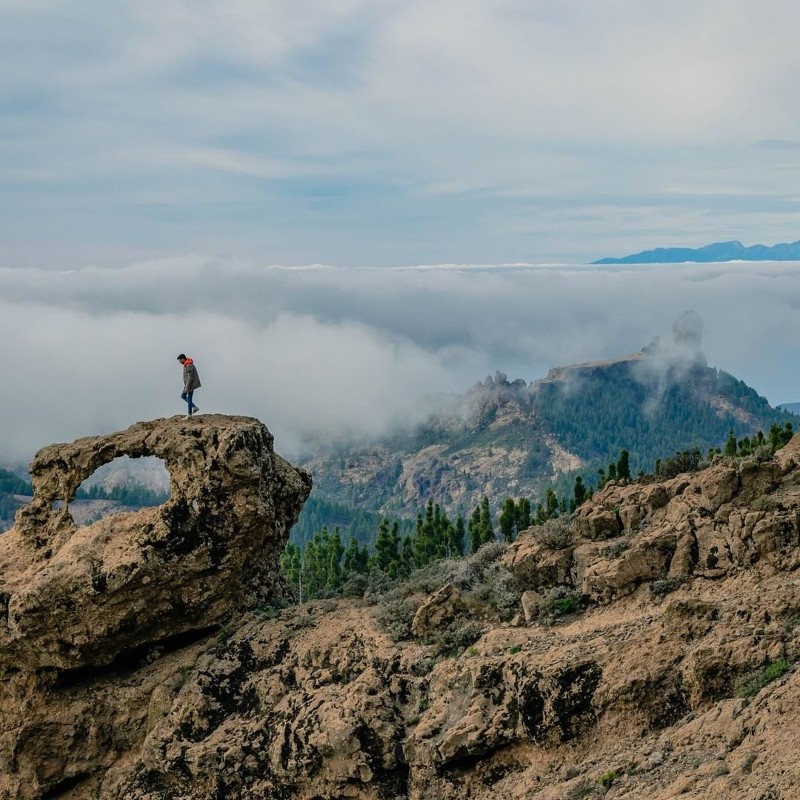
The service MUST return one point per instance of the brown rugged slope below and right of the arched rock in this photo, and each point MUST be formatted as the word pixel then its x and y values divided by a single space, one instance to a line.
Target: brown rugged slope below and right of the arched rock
pixel 316 702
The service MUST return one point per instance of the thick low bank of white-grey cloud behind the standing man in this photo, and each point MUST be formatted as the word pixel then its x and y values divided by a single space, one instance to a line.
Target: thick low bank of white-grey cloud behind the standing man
pixel 339 353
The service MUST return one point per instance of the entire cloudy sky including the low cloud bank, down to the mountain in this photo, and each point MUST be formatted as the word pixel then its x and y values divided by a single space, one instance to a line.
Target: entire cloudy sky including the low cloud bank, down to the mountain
pixel 278 188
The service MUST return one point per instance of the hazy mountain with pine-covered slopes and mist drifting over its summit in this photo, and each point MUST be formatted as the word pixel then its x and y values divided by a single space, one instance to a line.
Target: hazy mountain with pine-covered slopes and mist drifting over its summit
pixel 510 438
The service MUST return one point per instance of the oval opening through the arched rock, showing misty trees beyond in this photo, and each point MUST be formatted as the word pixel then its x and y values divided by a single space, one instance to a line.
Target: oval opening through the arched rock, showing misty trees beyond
pixel 124 484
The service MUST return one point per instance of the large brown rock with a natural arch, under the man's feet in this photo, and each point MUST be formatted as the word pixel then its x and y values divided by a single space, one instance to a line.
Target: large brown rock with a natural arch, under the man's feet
pixel 72 597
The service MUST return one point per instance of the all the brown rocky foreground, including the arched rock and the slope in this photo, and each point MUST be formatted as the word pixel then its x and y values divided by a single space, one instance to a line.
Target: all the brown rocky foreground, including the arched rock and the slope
pixel 644 649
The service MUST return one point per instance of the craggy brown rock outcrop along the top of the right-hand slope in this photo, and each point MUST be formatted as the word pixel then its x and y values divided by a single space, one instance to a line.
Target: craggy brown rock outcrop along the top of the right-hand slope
pixel 713 524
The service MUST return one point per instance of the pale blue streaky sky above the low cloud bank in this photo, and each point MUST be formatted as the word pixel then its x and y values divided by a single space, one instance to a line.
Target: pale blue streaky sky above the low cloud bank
pixel 376 132
